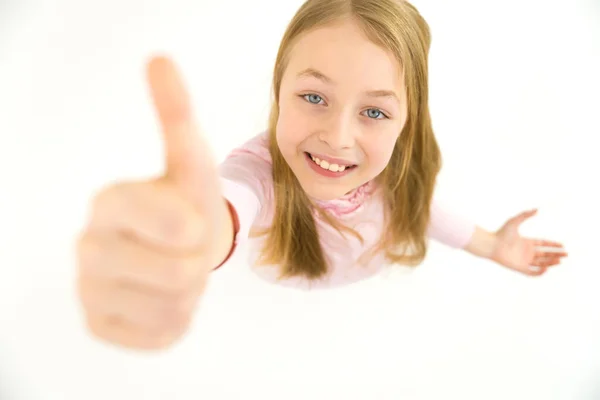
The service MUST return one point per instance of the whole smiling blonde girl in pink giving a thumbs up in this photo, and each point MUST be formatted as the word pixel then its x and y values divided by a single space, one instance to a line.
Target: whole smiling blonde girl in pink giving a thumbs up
pixel 339 185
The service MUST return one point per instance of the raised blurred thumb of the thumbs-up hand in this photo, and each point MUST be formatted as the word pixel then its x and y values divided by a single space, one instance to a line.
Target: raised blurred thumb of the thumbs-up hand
pixel 188 161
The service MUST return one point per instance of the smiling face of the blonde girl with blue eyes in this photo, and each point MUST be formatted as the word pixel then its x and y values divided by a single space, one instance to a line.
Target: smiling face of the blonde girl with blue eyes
pixel 342 105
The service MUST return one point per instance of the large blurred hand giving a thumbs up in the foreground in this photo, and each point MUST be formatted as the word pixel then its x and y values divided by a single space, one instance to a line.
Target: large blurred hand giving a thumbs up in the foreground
pixel 144 258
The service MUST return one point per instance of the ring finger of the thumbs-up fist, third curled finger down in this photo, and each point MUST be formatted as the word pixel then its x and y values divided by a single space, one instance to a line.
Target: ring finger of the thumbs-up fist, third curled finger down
pixel 134 304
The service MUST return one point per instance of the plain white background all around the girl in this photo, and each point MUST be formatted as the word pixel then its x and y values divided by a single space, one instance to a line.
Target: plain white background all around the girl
pixel 514 88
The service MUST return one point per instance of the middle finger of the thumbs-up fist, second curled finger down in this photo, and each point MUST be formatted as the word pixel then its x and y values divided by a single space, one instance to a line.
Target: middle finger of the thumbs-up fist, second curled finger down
pixel 121 259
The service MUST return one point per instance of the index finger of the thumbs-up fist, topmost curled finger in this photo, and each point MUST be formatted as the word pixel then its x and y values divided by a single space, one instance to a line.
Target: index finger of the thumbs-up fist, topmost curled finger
pixel 152 212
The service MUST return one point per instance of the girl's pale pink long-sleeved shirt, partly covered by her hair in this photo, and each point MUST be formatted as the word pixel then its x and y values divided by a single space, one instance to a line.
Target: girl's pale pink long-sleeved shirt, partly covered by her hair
pixel 248 185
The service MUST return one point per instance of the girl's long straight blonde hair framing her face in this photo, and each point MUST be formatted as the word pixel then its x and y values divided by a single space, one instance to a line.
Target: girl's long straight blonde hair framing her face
pixel 407 183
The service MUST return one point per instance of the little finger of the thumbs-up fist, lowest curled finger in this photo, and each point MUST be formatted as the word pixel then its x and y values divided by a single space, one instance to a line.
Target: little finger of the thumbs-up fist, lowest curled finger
pixel 120 333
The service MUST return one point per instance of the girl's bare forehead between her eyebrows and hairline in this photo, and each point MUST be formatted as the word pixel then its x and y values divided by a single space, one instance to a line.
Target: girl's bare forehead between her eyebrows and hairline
pixel 345 54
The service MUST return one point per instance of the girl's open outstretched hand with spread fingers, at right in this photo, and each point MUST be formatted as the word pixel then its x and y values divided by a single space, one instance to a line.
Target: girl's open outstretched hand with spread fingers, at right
pixel 520 253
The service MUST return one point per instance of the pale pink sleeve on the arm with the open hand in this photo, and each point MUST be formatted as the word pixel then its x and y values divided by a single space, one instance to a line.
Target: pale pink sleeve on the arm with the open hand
pixel 449 228
